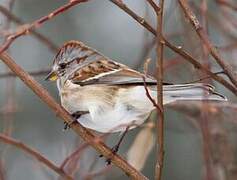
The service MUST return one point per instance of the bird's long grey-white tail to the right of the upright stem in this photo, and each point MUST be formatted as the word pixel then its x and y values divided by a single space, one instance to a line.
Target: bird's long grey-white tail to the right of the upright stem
pixel 196 91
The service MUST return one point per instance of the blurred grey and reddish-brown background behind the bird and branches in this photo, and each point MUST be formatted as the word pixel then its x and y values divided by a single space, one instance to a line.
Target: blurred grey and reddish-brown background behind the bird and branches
pixel 189 151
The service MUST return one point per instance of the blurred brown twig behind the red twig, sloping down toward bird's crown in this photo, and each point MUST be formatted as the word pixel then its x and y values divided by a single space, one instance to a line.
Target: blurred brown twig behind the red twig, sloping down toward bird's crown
pixel 36 34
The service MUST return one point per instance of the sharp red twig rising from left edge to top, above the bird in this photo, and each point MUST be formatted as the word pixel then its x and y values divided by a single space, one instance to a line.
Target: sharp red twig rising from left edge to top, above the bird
pixel 38 23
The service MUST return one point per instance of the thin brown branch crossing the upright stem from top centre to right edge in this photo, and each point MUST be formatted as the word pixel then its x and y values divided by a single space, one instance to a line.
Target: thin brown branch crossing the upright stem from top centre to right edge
pixel 176 49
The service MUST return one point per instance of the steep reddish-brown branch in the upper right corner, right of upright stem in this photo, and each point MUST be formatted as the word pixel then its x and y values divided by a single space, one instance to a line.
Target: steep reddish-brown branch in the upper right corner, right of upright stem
pixel 204 38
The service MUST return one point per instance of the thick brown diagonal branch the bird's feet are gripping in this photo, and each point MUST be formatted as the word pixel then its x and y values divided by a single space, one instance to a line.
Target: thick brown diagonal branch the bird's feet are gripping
pixel 85 134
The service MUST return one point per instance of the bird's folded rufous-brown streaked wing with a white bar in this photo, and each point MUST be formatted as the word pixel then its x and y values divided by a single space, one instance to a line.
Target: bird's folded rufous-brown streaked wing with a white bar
pixel 109 72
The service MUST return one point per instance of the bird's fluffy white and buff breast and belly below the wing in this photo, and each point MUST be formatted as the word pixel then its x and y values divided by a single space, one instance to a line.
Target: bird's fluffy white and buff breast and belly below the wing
pixel 109 111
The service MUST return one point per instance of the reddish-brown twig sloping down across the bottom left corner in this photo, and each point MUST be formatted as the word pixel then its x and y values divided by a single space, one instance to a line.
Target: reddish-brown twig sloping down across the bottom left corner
pixel 35 154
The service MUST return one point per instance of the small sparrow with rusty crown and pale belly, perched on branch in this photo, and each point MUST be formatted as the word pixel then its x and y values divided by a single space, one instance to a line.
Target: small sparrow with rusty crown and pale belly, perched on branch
pixel 107 96
